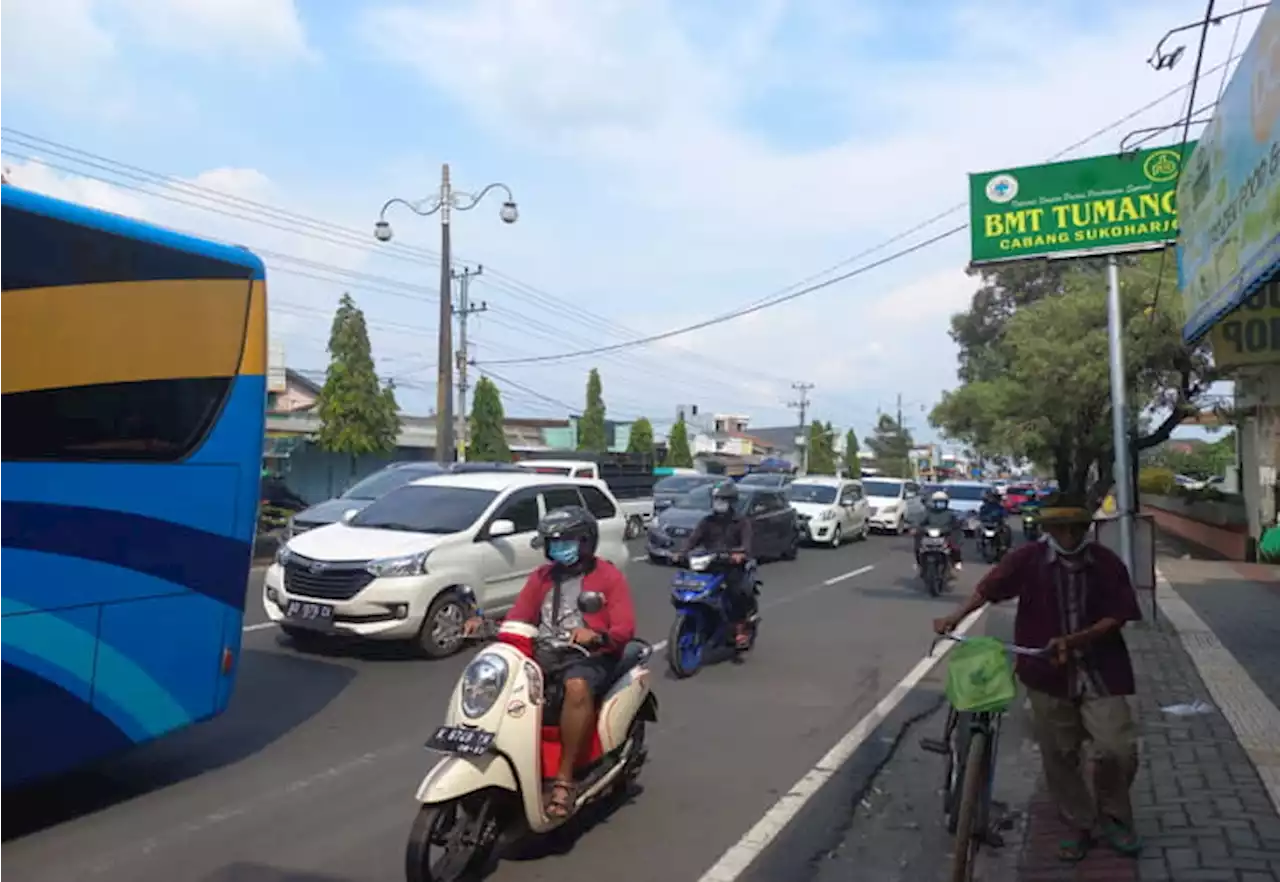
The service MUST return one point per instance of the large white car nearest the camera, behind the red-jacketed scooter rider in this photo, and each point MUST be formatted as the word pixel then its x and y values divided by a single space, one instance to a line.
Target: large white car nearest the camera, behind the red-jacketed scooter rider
pixel 395 570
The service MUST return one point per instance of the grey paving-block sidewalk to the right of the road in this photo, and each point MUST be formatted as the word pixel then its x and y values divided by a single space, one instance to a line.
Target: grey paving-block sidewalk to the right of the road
pixel 1209 784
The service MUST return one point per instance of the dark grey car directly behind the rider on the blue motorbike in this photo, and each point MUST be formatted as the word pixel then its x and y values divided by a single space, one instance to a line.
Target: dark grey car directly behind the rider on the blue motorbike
pixel 775 529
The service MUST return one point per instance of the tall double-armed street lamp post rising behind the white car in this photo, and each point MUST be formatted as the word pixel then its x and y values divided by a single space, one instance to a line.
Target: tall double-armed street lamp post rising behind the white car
pixel 446 202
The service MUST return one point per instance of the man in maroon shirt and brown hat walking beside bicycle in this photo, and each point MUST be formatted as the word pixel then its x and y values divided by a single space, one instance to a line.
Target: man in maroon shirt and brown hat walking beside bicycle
pixel 1075 598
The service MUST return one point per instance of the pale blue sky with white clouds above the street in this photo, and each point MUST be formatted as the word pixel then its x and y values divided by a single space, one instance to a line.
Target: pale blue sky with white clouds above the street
pixel 673 161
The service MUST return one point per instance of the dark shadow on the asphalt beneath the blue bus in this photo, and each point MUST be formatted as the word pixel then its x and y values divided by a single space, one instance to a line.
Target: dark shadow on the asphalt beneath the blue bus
pixel 275 694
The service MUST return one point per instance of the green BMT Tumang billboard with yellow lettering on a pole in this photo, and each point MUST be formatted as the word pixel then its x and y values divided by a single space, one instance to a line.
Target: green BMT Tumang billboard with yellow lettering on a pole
pixel 1084 207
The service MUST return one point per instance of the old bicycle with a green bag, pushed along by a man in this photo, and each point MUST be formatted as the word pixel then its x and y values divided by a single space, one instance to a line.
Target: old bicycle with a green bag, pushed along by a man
pixel 970 743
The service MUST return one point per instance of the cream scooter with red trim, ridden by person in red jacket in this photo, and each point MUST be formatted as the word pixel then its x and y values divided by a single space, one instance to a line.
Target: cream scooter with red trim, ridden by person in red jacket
pixel 501 737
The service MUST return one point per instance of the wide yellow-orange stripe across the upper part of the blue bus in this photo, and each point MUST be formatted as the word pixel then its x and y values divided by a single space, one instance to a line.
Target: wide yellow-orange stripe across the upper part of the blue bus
pixel 125 332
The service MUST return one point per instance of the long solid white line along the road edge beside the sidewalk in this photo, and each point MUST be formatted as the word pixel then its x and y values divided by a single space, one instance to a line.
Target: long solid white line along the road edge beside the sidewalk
pixel 742 854
